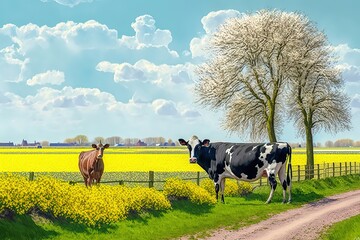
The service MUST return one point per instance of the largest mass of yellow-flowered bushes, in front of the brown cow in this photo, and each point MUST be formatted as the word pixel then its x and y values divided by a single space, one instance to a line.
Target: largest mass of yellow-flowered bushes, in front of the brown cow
pixel 93 206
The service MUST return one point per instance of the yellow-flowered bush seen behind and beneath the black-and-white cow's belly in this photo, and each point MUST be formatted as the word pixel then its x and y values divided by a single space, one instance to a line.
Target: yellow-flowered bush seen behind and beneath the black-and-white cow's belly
pixel 232 187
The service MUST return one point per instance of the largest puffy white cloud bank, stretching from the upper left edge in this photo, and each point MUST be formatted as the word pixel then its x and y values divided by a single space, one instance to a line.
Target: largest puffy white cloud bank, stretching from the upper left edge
pixel 30 49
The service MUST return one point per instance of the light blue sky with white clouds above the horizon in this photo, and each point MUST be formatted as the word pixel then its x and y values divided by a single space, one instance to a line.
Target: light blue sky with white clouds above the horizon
pixel 126 68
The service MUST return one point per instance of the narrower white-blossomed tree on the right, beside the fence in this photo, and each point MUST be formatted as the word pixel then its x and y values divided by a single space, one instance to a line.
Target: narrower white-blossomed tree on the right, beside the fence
pixel 316 98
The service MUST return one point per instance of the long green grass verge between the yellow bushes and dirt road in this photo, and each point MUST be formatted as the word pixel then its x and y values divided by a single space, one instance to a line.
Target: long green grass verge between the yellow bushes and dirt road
pixel 184 219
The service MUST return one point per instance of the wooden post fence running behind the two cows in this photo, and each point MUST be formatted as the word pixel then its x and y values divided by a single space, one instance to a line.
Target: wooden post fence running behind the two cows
pixel 157 179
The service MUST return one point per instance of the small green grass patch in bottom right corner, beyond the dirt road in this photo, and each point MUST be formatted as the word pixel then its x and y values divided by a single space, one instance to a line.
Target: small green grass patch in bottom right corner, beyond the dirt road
pixel 348 229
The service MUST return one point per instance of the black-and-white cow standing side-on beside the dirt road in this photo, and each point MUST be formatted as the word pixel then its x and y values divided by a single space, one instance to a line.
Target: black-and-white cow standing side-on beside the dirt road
pixel 242 161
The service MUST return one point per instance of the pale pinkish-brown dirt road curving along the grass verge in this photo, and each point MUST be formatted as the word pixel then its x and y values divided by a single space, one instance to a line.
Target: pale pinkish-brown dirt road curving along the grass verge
pixel 305 223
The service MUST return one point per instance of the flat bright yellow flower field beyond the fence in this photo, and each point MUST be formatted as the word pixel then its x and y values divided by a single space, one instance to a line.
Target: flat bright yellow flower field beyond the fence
pixel 128 159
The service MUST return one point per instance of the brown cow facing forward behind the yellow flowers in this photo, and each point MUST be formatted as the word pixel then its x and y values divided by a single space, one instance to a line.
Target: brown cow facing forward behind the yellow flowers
pixel 91 164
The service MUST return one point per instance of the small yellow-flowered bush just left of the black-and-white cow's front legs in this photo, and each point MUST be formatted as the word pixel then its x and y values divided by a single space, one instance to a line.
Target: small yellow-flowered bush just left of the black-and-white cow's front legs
pixel 176 188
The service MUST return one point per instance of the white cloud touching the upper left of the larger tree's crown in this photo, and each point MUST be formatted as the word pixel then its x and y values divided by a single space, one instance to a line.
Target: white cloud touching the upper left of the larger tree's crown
pixel 210 23
